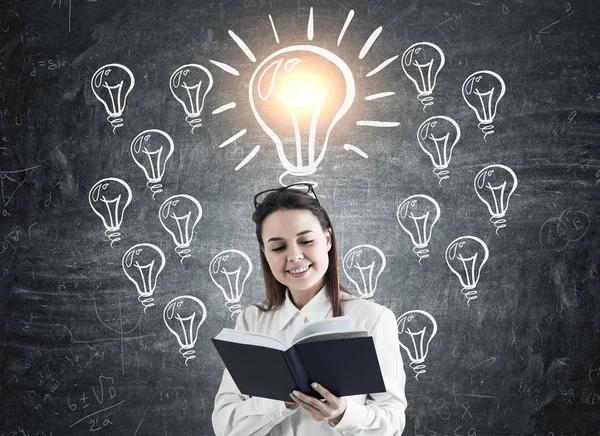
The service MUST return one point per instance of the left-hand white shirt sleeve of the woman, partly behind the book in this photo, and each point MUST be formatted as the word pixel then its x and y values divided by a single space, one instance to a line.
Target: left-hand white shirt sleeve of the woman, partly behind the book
pixel 236 414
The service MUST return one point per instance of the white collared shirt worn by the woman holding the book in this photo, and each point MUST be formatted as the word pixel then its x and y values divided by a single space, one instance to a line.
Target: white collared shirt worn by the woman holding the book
pixel 378 414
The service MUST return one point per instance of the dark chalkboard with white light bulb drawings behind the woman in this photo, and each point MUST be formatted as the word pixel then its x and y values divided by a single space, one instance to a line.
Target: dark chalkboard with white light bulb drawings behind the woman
pixel 83 352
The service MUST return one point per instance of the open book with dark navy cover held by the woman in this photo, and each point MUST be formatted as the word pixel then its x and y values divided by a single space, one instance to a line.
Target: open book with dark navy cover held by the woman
pixel 331 352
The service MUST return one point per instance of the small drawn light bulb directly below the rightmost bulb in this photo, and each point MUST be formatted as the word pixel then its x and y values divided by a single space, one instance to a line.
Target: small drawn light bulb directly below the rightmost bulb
pixel 466 256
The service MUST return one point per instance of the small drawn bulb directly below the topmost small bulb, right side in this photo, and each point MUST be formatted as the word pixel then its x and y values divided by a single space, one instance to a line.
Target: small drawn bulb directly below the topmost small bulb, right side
pixel 437 137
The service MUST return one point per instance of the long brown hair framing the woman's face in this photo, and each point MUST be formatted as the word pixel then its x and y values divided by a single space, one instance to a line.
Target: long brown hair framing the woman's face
pixel 288 199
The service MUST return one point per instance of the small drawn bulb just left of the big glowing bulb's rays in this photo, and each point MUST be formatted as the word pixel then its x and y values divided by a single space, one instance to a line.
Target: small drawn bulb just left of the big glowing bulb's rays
pixel 189 85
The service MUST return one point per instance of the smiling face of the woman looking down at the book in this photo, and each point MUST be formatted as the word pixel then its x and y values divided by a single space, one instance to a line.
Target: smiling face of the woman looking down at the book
pixel 296 248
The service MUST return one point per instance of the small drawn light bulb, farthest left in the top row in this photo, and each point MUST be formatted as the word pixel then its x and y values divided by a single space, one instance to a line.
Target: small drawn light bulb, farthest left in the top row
pixel 111 84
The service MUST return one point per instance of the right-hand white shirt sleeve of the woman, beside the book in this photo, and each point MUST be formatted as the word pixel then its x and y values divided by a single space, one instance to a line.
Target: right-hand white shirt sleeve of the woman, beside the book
pixel 383 413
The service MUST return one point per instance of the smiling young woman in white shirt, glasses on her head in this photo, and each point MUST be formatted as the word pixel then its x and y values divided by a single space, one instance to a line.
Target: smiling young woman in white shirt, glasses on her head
pixel 300 268
